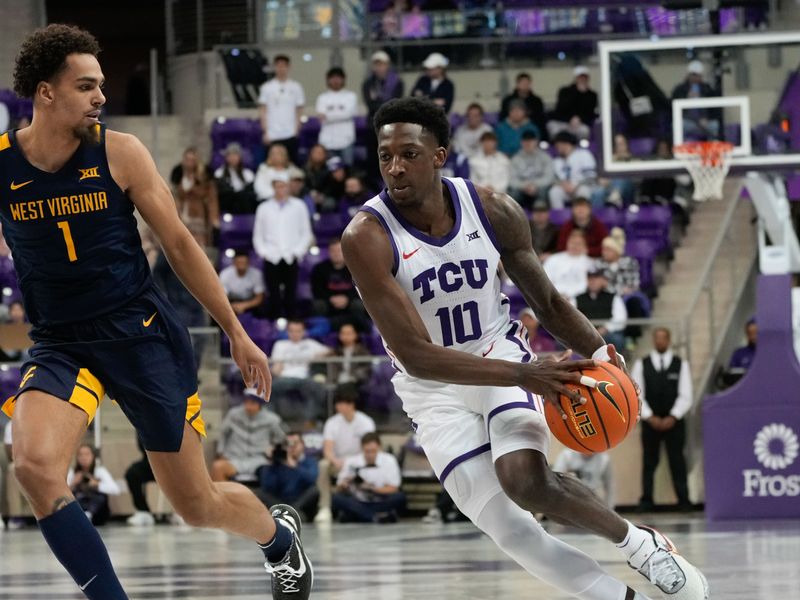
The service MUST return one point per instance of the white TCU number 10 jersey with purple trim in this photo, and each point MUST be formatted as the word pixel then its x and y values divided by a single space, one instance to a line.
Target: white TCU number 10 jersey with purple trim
pixel 452 281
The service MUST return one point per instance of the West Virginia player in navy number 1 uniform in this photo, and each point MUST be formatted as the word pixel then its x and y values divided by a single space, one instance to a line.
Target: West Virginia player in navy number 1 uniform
pixel 68 190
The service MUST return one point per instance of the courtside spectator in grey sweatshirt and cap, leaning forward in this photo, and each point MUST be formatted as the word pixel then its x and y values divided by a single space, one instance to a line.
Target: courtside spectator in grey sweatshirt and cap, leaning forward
pixel 247 436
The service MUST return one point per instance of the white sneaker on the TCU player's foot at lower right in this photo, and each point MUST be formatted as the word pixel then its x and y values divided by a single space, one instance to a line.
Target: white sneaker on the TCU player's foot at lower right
pixel 675 576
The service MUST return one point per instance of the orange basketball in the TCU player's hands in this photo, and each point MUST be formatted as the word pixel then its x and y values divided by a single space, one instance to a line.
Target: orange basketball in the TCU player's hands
pixel 607 417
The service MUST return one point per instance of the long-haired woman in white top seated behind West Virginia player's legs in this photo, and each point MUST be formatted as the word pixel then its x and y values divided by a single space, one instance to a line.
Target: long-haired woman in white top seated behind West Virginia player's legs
pixel 92 484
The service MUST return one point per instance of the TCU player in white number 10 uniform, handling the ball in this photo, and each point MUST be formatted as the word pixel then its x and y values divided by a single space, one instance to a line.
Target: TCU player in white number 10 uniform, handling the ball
pixel 425 254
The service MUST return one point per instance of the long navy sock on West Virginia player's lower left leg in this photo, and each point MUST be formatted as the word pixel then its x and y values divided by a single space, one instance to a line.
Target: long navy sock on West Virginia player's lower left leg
pixel 77 545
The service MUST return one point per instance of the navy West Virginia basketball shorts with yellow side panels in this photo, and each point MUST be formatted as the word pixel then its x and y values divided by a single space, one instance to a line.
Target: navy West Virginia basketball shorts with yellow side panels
pixel 139 354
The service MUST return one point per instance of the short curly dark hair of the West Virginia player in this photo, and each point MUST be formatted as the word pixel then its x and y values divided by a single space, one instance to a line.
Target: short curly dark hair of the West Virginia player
pixel 43 55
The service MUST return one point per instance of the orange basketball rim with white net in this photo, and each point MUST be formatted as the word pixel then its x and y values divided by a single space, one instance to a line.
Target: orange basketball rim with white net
pixel 708 164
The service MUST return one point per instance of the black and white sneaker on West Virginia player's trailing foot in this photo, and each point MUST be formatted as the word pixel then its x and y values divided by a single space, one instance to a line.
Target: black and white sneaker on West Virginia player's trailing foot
pixel 293 577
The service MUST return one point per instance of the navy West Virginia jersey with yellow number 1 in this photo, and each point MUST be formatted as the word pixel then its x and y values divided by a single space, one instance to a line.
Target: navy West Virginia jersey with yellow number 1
pixel 72 233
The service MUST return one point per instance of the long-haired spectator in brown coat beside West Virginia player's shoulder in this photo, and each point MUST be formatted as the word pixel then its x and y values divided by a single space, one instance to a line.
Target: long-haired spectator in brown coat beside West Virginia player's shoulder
pixel 196 197
